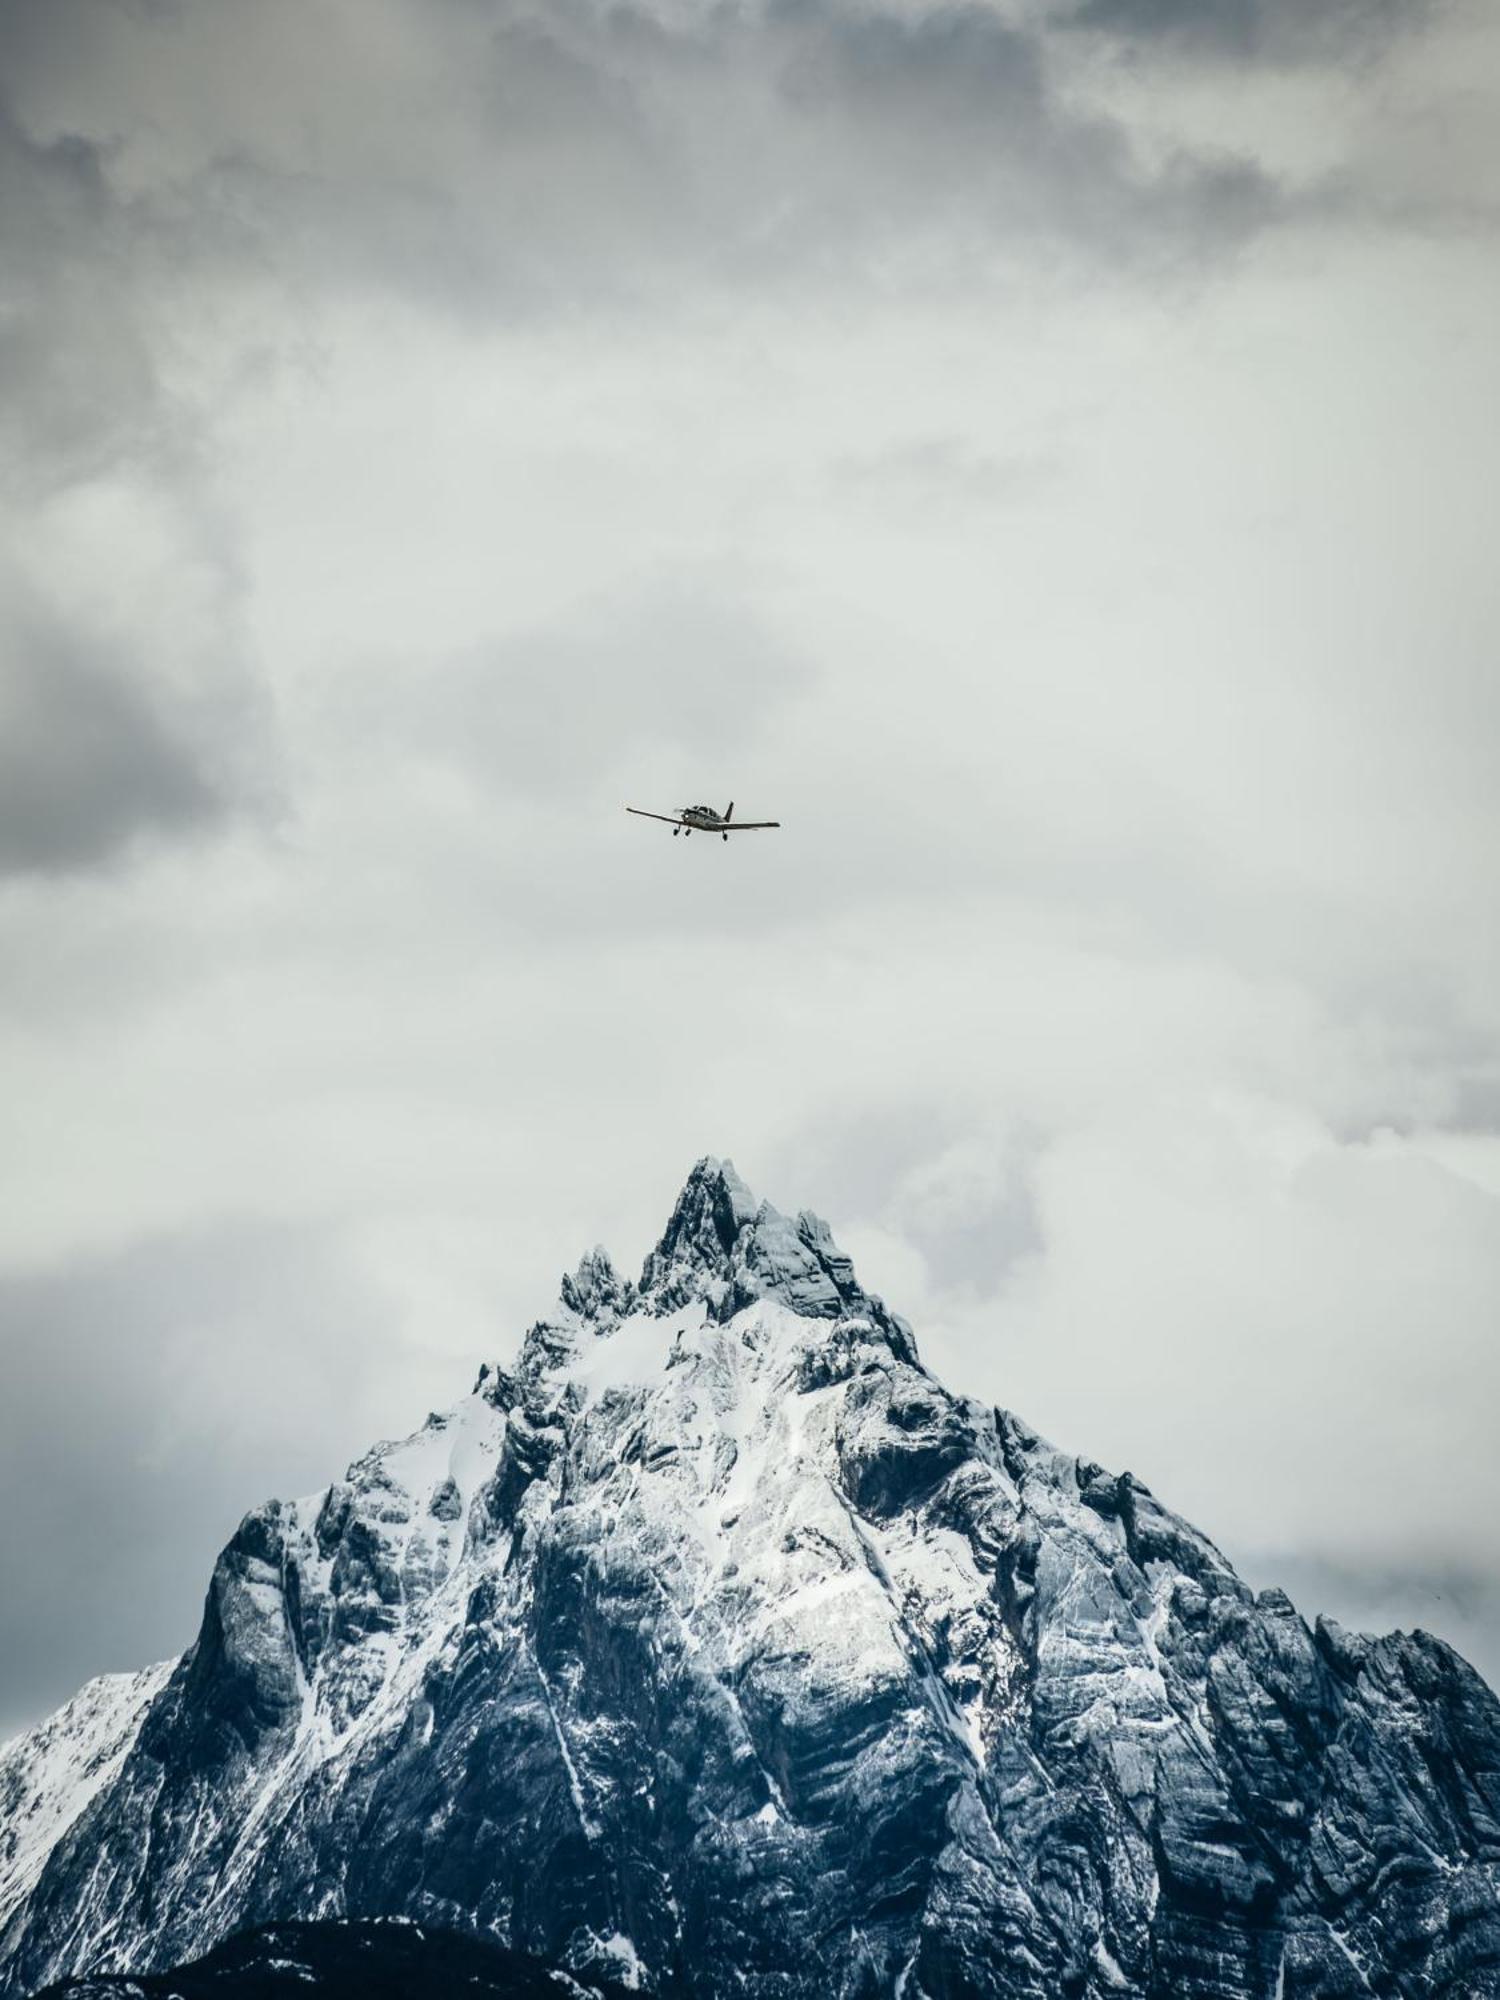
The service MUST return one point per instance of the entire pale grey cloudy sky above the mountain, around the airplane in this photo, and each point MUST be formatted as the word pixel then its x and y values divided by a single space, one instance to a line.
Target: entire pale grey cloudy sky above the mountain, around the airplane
pixel 1045 455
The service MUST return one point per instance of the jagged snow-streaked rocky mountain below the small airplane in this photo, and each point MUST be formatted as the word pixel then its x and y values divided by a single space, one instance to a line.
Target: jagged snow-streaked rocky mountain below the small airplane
pixel 721 1651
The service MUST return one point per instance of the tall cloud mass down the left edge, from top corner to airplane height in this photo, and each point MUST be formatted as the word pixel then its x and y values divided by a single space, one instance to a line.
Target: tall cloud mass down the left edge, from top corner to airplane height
pixel 99 745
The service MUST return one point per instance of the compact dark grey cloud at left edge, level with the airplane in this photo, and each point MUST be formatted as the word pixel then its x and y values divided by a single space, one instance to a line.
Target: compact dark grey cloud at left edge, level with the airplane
pixel 89 759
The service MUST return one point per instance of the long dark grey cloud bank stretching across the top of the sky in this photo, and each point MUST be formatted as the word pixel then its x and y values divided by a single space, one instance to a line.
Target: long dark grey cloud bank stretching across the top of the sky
pixel 539 159
